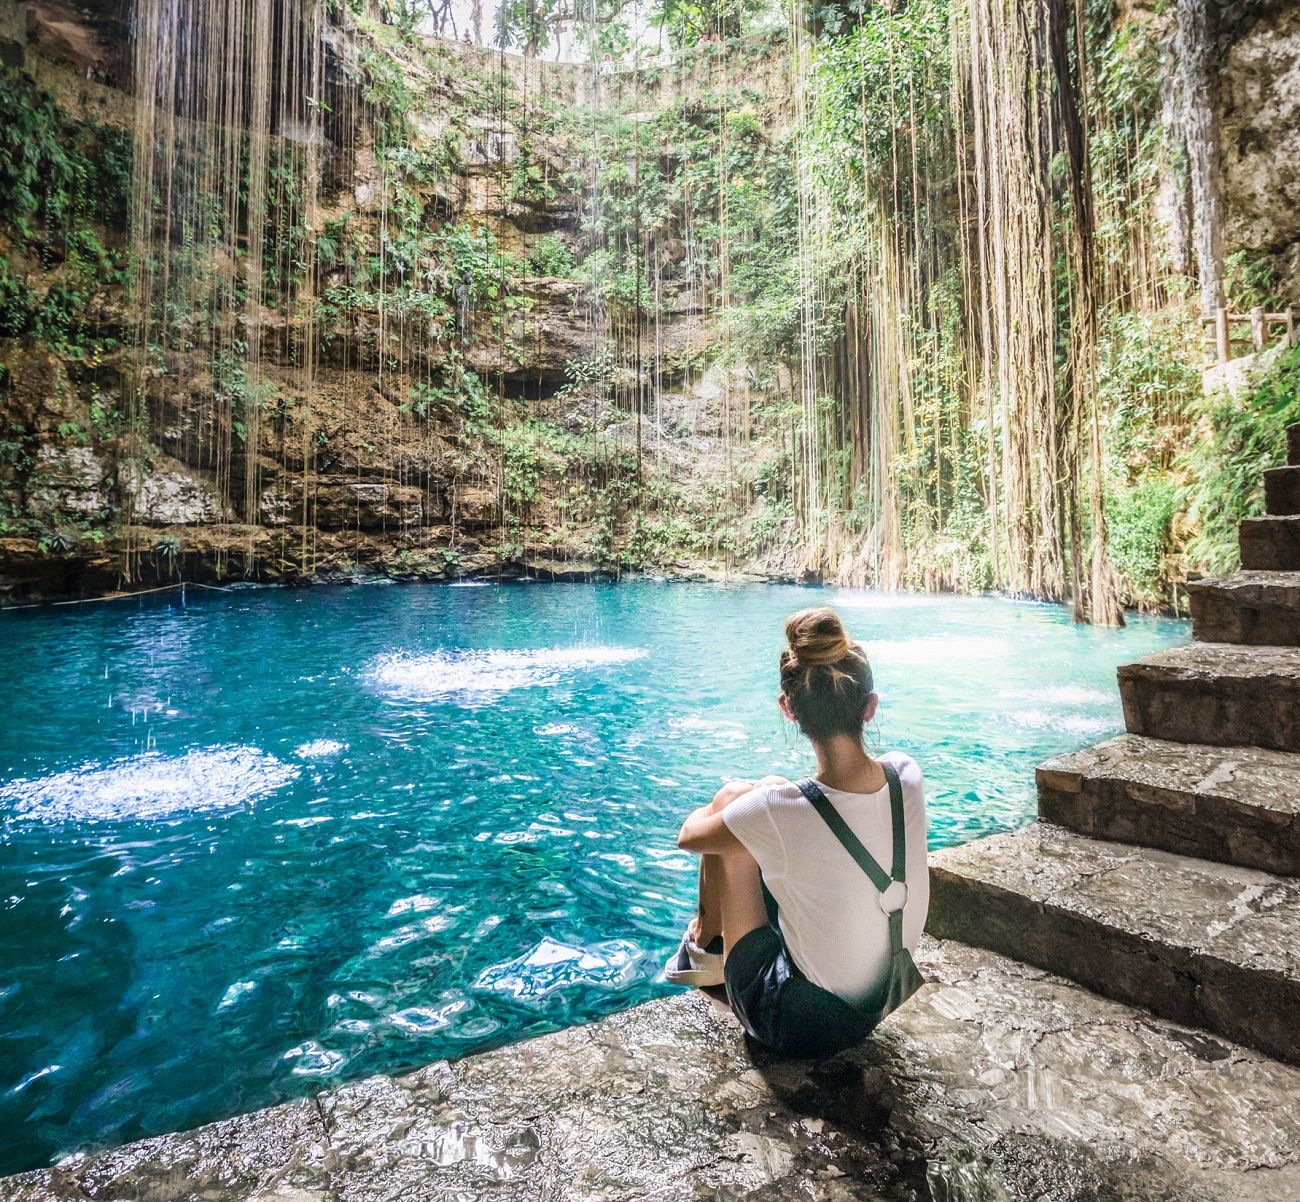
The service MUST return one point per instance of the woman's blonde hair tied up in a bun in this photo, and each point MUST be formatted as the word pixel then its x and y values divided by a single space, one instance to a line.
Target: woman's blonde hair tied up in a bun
pixel 825 676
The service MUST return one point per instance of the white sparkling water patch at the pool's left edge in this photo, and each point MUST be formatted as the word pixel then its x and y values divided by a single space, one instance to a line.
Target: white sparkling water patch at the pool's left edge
pixel 151 786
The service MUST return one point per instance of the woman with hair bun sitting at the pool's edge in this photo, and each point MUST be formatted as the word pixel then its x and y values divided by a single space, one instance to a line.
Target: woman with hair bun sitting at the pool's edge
pixel 813 895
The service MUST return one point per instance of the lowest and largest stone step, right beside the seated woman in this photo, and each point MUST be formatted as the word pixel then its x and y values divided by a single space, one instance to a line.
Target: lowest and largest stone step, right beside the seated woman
pixel 1204 944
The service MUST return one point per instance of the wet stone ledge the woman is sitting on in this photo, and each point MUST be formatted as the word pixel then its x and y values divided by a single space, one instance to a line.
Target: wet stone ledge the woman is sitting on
pixel 998 1082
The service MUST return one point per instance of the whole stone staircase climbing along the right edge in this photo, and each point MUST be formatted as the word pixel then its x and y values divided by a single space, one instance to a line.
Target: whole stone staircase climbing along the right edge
pixel 1164 870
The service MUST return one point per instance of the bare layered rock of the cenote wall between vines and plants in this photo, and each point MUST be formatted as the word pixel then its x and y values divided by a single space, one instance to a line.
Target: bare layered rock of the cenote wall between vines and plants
pixel 356 485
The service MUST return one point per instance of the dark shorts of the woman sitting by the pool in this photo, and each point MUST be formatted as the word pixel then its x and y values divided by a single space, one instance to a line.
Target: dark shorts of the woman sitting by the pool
pixel 782 1009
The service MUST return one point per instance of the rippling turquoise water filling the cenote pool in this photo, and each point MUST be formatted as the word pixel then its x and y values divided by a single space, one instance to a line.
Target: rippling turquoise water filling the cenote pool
pixel 271 840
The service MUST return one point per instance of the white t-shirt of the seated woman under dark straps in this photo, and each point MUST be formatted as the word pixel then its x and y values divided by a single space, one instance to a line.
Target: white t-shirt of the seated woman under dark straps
pixel 830 912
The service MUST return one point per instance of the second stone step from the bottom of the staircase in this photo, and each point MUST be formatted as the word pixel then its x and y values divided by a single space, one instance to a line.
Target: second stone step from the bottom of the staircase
pixel 1238 805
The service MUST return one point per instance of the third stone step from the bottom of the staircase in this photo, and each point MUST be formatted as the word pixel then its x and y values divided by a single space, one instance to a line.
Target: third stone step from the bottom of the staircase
pixel 1224 695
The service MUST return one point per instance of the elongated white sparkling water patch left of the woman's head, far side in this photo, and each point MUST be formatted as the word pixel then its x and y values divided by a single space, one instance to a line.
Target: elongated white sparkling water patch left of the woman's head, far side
pixel 487 674
